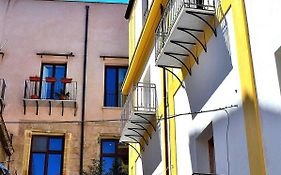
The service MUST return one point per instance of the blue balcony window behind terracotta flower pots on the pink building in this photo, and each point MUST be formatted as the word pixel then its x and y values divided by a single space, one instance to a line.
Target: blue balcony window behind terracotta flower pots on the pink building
pixel 50 89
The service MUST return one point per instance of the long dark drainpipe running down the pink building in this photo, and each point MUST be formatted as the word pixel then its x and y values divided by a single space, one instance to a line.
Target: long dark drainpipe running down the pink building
pixel 84 90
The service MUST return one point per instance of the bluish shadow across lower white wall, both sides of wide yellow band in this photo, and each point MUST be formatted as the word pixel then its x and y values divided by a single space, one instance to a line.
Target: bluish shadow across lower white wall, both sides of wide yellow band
pixel 229 134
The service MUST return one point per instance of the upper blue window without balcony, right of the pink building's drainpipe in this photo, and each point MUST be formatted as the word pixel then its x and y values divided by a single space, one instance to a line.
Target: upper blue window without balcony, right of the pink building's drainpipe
pixel 114 77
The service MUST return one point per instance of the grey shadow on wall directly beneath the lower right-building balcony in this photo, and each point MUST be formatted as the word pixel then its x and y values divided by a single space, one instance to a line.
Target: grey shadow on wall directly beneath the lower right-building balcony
pixel 151 157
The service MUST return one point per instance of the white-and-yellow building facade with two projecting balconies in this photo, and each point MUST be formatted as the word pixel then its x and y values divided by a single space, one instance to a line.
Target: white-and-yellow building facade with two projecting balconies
pixel 203 87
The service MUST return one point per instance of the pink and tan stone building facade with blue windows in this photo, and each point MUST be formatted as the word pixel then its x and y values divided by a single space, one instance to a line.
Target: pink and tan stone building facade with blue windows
pixel 63 64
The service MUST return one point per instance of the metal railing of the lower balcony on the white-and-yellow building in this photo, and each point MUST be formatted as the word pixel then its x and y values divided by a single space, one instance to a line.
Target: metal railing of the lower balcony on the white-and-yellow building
pixel 142 98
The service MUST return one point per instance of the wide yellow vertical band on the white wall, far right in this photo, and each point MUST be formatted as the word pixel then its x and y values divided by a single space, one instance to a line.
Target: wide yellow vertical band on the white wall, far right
pixel 249 95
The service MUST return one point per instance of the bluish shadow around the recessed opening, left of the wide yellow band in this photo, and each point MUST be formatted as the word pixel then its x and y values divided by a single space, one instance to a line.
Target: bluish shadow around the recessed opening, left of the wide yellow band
pixel 229 138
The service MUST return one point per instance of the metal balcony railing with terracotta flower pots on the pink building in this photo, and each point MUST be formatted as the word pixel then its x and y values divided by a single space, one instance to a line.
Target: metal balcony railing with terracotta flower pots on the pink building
pixel 50 90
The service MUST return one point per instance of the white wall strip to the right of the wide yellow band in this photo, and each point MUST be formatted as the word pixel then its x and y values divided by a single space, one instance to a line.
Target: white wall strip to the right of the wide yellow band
pixel 265 39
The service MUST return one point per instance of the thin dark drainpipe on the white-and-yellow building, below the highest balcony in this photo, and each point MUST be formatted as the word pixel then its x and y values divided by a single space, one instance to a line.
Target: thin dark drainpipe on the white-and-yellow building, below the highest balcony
pixel 167 168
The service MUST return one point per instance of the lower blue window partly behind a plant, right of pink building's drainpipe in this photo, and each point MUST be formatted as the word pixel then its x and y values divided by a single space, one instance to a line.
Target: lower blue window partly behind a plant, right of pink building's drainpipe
pixel 114 157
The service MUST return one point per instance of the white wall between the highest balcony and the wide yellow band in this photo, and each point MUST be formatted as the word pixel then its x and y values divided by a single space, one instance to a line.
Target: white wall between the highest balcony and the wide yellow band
pixel 214 84
